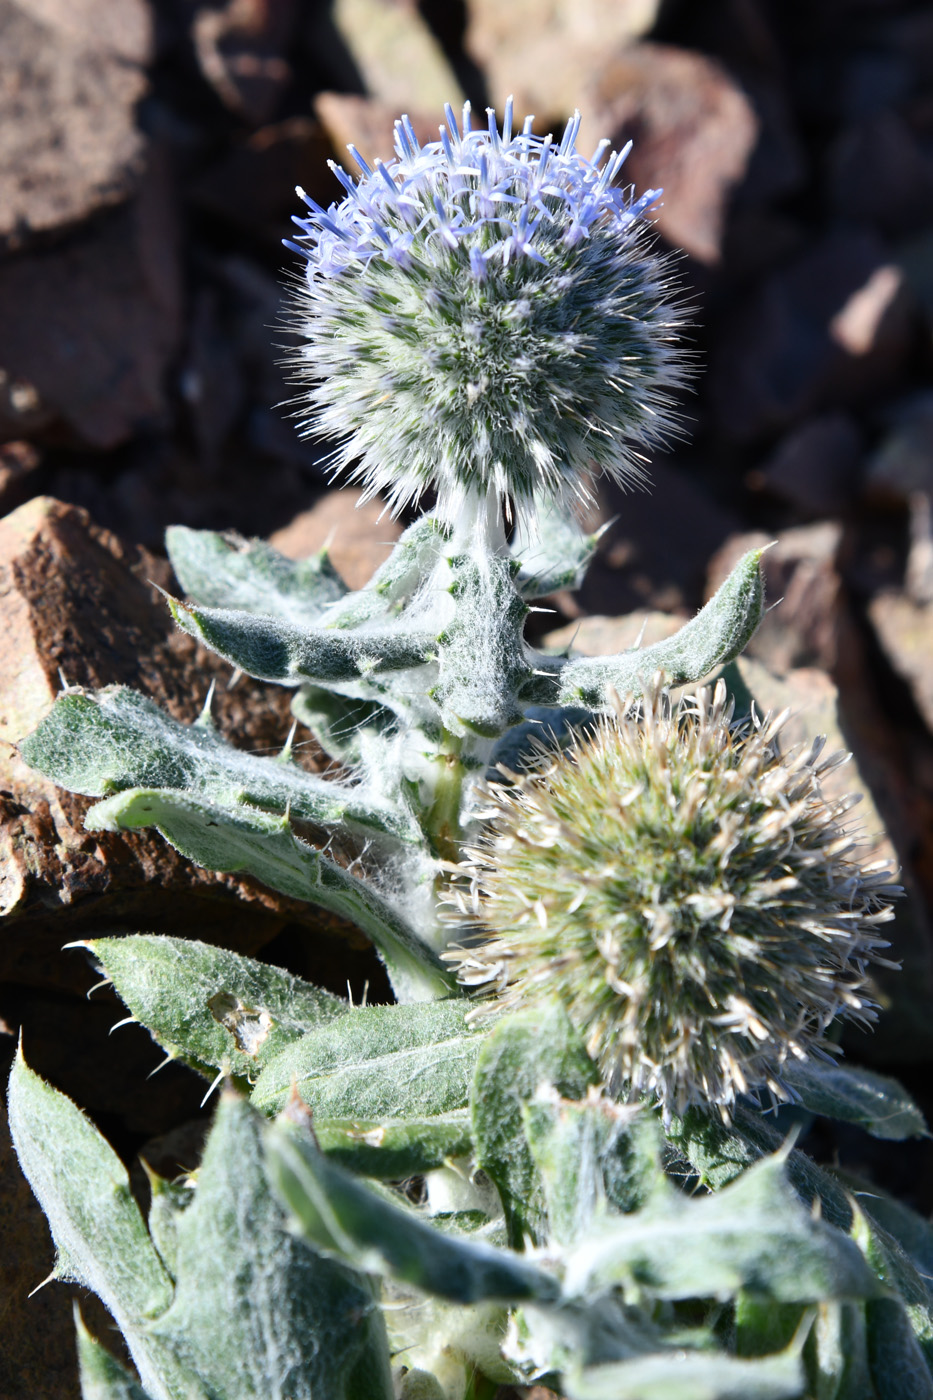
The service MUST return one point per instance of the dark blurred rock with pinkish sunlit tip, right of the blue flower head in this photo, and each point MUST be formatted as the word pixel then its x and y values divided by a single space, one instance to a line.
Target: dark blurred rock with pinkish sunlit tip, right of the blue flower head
pixel 831 330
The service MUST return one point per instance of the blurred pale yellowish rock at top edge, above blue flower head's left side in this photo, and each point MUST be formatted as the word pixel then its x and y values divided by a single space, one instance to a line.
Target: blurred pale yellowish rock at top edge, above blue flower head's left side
pixel 394 57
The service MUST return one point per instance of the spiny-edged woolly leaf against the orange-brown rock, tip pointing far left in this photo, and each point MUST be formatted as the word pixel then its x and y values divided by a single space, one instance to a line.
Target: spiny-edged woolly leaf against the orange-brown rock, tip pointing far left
pixel 117 740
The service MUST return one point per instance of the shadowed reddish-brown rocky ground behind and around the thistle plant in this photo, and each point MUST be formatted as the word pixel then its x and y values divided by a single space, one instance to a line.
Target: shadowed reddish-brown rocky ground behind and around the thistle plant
pixel 148 163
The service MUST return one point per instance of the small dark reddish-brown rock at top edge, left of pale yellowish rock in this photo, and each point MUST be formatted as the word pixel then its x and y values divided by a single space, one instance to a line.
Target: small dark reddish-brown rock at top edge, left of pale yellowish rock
pixel 242 52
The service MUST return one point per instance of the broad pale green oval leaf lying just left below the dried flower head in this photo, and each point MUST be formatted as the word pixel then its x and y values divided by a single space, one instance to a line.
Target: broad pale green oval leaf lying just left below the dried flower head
pixel 379 1063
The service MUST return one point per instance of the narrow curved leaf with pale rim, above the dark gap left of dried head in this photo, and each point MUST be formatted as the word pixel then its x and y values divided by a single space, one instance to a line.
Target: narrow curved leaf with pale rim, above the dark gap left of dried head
pixel 267 848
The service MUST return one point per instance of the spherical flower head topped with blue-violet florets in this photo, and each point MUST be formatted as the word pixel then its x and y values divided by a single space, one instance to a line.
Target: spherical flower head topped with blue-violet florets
pixel 487 313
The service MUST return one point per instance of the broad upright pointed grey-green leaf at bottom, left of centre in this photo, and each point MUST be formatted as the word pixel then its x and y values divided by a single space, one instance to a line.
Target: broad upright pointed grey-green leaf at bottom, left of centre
pixel 257 1314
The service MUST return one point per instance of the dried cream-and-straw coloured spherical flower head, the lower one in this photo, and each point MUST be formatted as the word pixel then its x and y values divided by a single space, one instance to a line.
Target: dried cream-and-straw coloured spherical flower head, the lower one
pixel 687 892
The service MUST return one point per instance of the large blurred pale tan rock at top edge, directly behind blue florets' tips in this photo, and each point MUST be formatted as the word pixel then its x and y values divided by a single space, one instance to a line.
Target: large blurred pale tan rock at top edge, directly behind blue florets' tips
pixel 544 52
